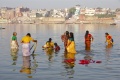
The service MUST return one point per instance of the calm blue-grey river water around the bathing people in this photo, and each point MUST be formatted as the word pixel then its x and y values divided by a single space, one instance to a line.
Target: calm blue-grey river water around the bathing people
pixel 56 69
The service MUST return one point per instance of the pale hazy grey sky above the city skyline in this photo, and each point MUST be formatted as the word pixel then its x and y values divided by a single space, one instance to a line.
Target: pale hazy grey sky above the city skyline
pixel 50 4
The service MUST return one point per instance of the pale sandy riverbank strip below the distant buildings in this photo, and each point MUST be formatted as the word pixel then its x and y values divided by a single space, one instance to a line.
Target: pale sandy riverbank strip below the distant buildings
pixel 57 21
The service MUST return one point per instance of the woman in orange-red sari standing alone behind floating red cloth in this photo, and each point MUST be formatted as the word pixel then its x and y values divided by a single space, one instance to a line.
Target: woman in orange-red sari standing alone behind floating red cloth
pixel 88 39
